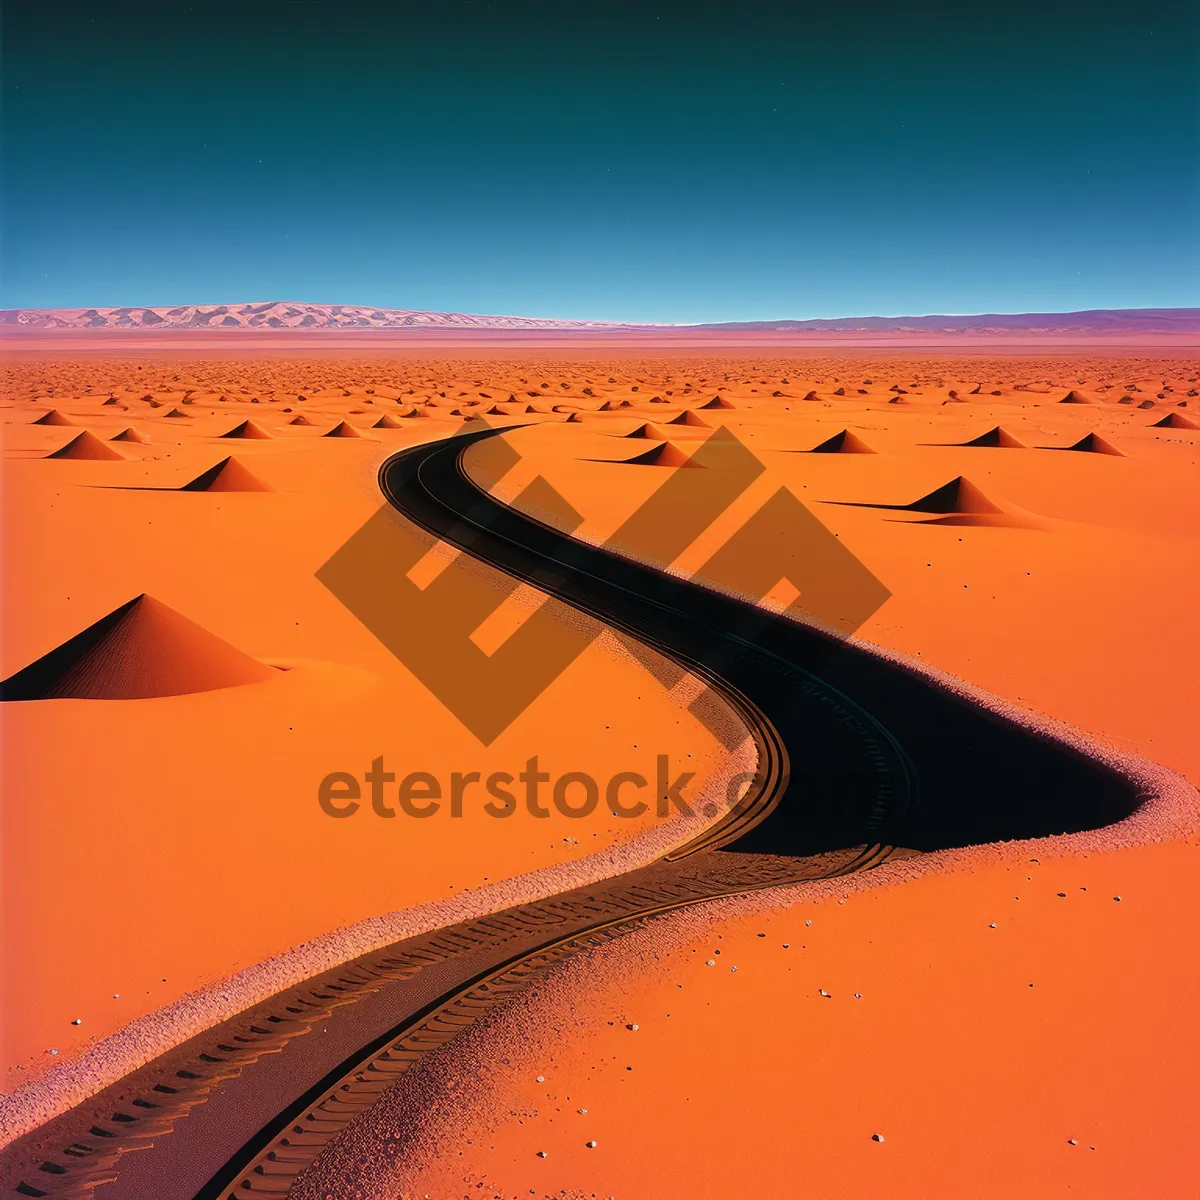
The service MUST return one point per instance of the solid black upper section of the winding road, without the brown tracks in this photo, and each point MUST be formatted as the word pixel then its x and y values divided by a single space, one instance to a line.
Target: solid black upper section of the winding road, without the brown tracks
pixel 879 754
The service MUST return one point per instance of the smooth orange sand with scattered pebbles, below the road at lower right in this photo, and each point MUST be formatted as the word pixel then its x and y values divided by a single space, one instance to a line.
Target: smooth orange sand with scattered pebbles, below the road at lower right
pixel 741 1078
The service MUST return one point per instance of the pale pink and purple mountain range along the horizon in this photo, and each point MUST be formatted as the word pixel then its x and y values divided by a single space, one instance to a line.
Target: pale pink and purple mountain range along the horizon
pixel 297 316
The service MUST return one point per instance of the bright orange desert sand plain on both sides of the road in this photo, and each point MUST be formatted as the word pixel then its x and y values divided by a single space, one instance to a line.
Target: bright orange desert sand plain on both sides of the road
pixel 1016 1019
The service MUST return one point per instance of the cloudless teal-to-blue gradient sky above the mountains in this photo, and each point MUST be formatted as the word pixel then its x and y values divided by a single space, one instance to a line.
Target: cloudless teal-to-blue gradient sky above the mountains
pixel 603 159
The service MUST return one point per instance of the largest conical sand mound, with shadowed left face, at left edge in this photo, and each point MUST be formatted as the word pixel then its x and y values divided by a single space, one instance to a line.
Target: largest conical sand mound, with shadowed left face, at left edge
pixel 139 651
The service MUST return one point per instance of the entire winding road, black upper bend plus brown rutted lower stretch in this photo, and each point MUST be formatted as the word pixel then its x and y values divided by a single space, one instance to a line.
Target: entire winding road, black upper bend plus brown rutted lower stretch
pixel 856 758
